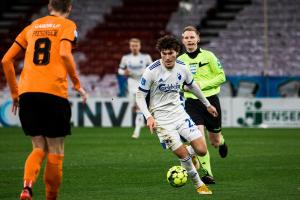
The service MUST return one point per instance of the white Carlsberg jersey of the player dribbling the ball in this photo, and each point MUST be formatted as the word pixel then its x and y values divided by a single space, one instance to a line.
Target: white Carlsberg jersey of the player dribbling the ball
pixel 164 87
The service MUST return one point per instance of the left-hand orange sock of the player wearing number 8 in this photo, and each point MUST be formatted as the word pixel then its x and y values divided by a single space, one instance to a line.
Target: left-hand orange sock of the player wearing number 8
pixel 32 166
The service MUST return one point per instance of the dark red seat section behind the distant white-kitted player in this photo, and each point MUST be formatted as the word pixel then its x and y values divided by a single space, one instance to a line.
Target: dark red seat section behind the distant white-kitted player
pixel 106 43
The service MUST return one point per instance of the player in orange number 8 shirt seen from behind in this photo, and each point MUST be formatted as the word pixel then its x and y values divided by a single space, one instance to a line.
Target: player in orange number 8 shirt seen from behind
pixel 41 94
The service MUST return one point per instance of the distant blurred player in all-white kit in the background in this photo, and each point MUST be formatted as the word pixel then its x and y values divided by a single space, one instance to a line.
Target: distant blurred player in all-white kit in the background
pixel 132 66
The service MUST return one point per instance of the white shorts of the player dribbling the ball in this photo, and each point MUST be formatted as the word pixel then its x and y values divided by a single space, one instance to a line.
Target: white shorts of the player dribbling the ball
pixel 170 134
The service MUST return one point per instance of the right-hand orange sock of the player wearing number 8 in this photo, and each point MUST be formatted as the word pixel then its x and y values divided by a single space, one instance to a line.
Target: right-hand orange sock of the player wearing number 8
pixel 53 175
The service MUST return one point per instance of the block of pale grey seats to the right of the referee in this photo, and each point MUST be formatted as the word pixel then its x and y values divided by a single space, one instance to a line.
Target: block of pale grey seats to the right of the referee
pixel 241 46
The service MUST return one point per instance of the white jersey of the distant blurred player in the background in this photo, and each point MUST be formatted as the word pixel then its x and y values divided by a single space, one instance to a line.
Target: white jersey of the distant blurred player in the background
pixel 135 64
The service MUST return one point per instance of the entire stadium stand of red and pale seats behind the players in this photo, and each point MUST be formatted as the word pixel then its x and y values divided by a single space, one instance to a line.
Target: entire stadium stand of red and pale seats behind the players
pixel 232 29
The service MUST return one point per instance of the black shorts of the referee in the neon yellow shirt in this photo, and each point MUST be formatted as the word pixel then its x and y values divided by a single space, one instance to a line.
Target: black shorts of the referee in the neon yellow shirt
pixel 201 116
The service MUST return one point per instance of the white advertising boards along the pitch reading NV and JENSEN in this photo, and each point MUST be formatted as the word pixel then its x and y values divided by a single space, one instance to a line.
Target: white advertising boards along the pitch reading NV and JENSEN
pixel 117 112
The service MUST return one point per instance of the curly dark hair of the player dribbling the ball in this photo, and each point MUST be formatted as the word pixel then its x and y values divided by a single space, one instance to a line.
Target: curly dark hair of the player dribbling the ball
pixel 168 42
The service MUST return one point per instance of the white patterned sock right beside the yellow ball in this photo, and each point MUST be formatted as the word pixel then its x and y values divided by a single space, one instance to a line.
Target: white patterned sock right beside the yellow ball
pixel 191 170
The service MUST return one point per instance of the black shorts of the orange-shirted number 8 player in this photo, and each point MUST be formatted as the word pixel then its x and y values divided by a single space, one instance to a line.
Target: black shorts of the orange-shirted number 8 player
pixel 45 114
